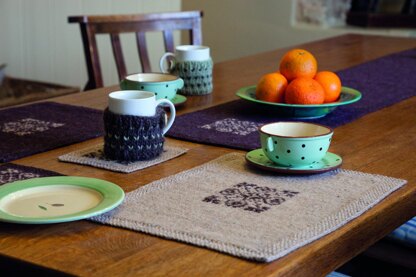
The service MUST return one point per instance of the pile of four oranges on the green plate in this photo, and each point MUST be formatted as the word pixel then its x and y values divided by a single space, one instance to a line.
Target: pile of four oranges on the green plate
pixel 299 82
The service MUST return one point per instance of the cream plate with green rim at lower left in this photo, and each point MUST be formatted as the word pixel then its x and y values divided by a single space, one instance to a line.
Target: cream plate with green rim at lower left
pixel 57 199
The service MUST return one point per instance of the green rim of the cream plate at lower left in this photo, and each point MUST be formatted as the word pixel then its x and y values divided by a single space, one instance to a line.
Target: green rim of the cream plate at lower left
pixel 112 194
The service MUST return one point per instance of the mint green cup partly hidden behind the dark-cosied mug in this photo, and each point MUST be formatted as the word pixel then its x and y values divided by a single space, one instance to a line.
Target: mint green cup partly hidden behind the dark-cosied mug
pixel 164 86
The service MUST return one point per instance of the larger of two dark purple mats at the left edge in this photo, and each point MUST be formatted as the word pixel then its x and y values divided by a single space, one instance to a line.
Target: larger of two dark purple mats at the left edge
pixel 44 126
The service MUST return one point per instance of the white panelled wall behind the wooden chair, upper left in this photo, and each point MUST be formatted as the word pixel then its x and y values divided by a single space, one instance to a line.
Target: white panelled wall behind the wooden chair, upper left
pixel 38 43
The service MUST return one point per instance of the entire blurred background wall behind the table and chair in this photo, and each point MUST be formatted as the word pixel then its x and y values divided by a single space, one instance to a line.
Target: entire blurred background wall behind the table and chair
pixel 37 42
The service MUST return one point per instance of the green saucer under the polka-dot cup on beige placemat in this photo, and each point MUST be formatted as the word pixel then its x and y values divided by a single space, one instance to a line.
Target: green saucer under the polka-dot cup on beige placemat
pixel 258 159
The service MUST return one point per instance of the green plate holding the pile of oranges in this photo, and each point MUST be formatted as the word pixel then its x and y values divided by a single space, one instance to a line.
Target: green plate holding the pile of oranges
pixel 348 96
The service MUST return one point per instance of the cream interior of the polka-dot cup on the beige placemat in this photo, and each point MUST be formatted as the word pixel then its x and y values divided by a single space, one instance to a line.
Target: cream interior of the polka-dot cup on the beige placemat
pixel 295 129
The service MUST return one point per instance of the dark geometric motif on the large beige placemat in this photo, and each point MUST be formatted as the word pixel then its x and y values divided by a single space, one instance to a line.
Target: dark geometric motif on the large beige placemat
pixel 250 197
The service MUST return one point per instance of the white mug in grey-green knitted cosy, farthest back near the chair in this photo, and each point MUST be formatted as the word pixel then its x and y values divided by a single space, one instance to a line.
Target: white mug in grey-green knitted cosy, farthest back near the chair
pixel 194 65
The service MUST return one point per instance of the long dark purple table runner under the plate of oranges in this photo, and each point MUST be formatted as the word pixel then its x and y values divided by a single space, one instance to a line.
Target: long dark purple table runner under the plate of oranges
pixel 382 82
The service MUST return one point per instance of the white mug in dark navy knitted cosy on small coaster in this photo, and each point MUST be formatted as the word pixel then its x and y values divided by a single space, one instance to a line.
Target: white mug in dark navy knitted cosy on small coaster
pixel 134 125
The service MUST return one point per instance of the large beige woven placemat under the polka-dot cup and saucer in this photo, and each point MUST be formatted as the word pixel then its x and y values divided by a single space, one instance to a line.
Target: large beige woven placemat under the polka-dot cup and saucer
pixel 226 206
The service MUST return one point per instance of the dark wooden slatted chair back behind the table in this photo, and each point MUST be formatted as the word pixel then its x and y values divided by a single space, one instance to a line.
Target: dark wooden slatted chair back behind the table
pixel 139 24
